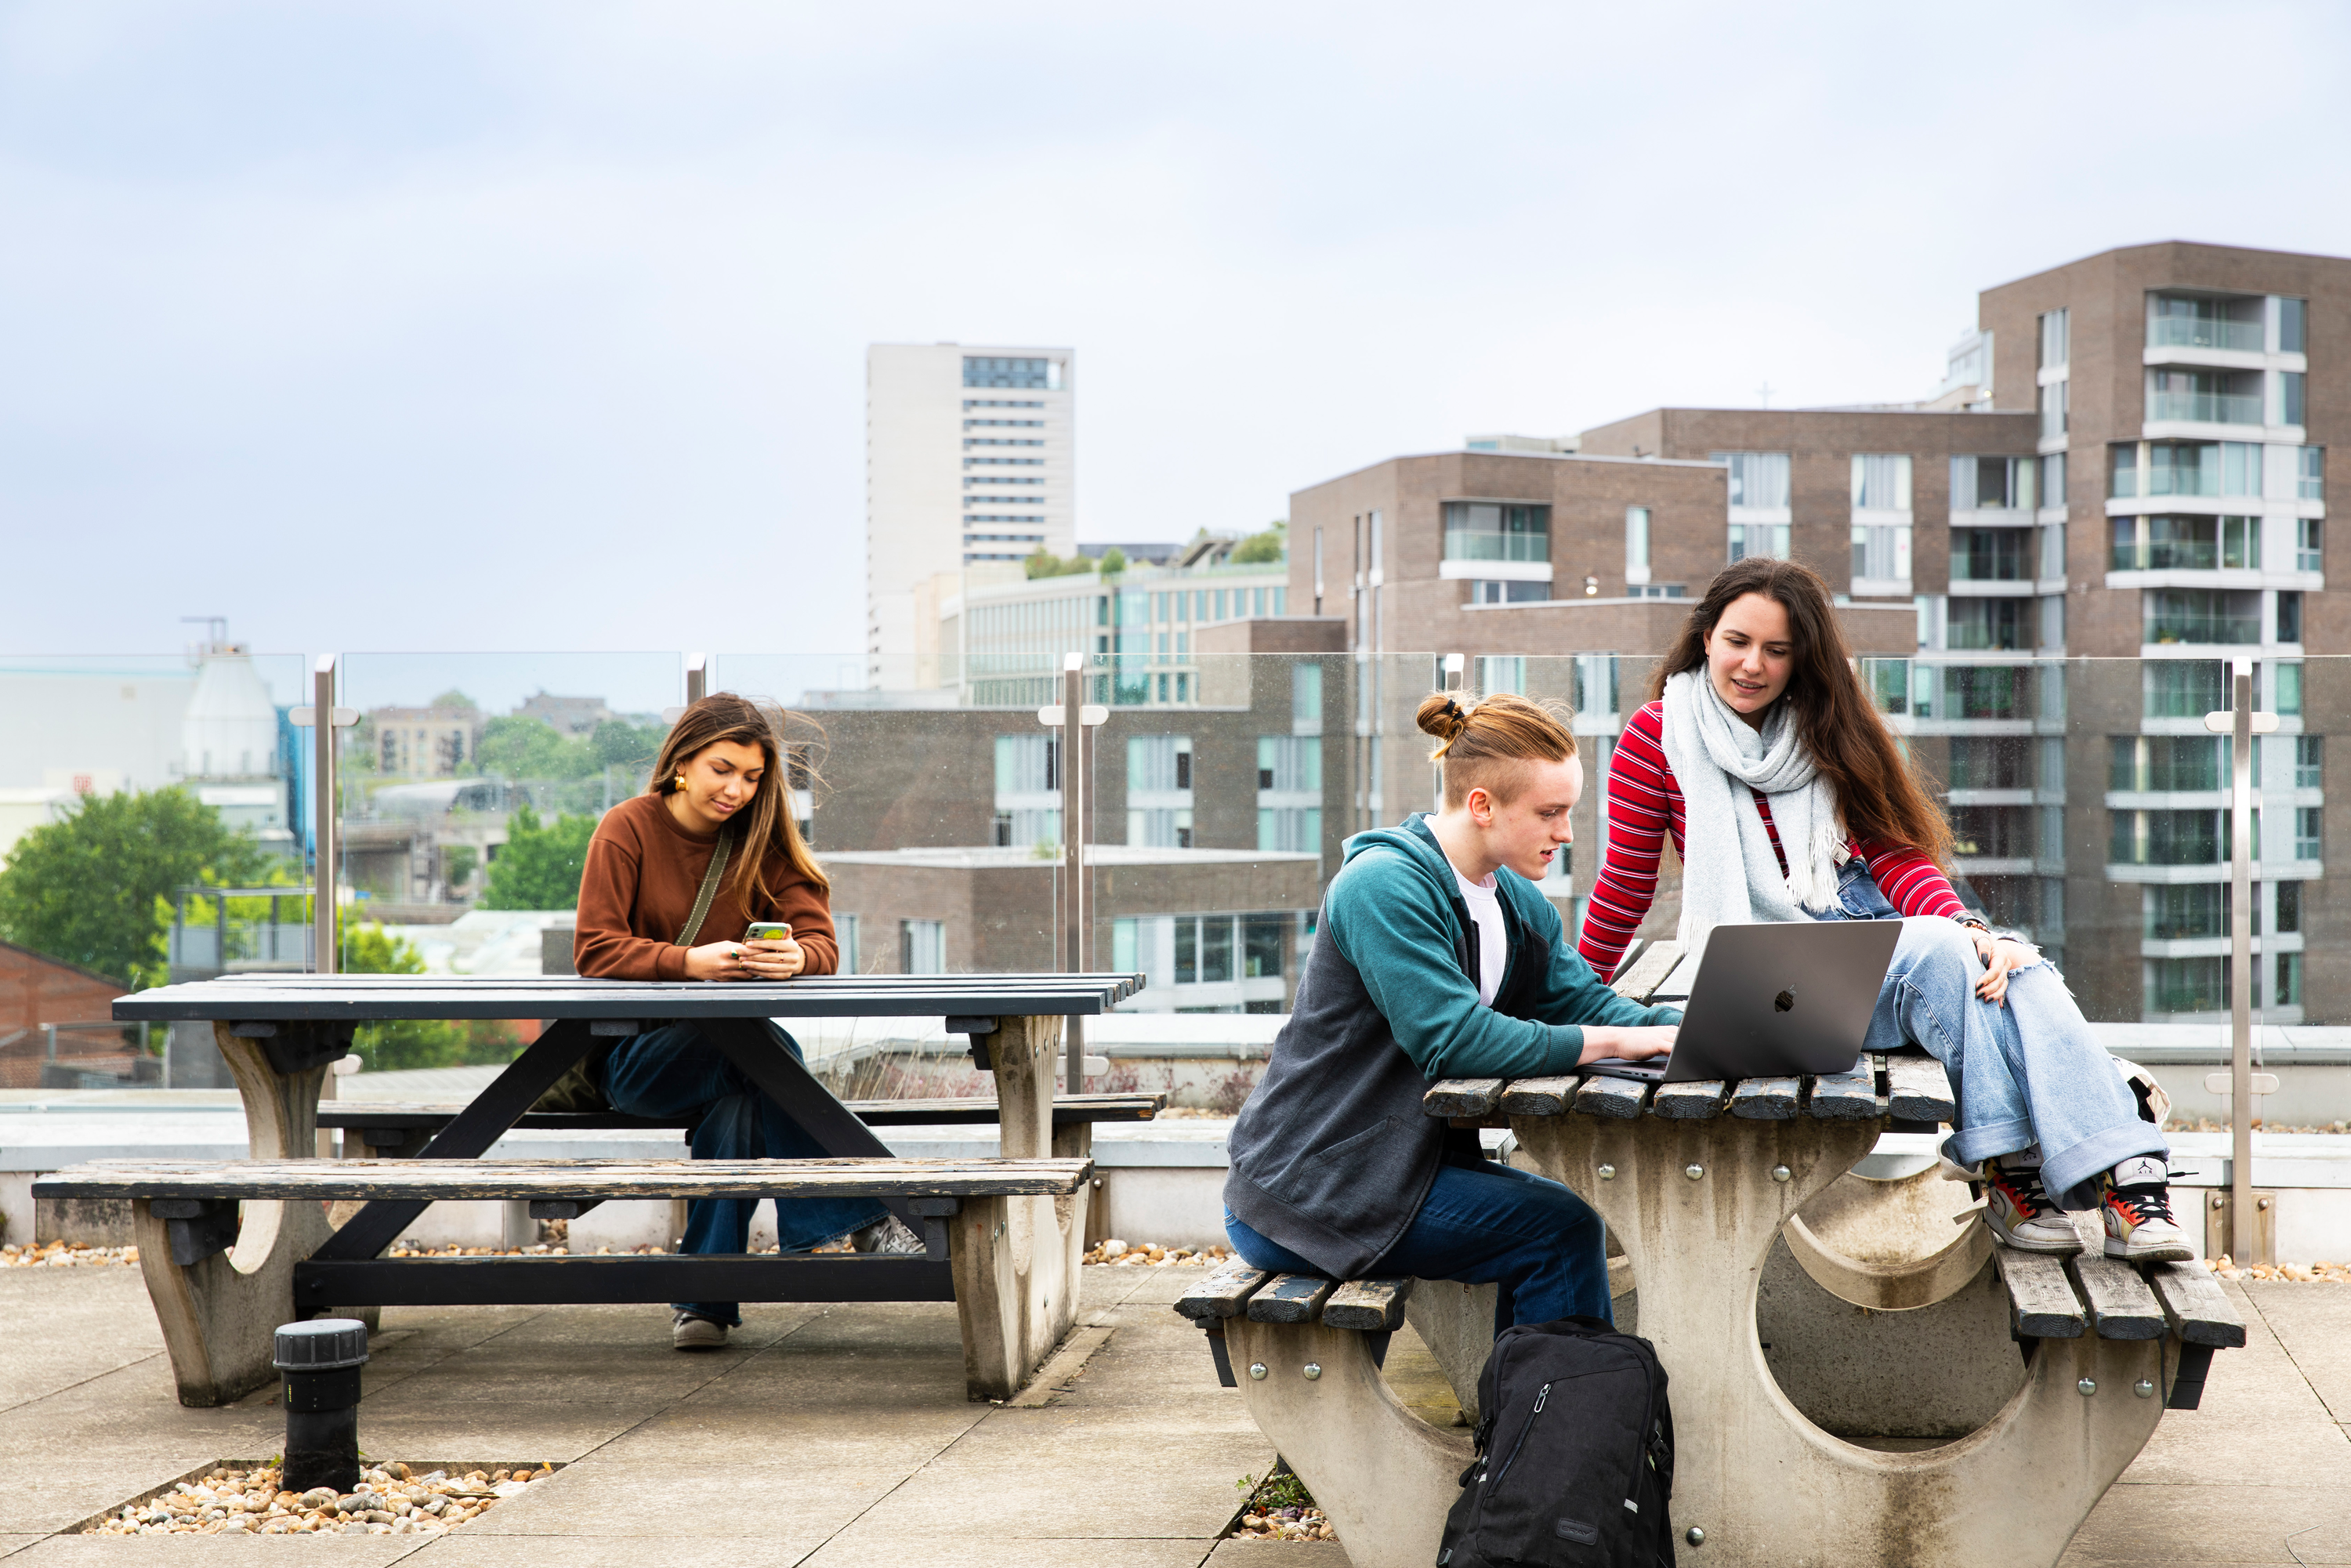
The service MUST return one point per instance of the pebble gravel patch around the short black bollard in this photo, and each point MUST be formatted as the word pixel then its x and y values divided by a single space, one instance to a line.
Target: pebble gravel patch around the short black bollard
pixel 394 1499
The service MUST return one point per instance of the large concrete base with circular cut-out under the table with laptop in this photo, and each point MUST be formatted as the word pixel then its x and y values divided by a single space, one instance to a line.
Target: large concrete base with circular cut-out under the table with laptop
pixel 1699 1209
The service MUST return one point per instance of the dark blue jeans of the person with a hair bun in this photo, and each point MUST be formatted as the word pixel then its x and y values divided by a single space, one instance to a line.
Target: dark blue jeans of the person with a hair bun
pixel 1487 1224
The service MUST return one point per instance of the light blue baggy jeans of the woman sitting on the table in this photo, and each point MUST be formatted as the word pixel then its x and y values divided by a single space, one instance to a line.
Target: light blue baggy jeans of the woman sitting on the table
pixel 2025 1073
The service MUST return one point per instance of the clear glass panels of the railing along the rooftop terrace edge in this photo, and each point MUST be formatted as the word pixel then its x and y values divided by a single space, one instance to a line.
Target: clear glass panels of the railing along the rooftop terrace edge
pixel 2087 796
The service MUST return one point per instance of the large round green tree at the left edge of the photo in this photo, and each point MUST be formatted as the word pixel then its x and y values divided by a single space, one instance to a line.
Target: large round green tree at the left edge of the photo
pixel 95 887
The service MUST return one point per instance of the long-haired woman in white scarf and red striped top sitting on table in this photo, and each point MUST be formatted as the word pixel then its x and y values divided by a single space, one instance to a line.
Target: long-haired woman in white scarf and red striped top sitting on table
pixel 1790 798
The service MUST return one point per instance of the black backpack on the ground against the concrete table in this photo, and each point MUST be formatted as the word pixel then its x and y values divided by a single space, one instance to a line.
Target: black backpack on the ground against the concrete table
pixel 1576 1454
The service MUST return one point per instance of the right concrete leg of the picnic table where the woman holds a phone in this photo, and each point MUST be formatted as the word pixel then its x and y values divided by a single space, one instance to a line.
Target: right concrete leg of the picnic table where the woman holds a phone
pixel 1017 1273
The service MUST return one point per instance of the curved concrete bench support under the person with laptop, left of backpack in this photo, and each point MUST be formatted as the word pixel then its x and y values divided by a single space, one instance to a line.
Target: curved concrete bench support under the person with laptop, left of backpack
pixel 1384 1475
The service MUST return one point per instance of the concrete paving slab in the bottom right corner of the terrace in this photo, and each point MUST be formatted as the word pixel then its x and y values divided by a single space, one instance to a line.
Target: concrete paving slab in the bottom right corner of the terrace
pixel 2162 1527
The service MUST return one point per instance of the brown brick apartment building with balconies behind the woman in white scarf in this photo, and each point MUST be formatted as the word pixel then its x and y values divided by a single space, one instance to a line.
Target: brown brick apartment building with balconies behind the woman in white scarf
pixel 2124 464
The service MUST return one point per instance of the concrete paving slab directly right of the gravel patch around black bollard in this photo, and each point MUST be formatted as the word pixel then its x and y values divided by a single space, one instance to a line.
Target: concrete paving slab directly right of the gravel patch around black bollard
pixel 791 1499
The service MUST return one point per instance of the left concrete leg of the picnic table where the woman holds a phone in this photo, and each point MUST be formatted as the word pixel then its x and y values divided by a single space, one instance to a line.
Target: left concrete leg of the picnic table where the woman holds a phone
pixel 220 1315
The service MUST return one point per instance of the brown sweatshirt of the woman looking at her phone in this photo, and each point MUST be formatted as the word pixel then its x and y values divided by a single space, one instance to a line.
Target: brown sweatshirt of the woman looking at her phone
pixel 638 894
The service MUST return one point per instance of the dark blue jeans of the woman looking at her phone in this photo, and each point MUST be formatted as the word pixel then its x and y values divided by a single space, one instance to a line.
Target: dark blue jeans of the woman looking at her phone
pixel 678 1073
